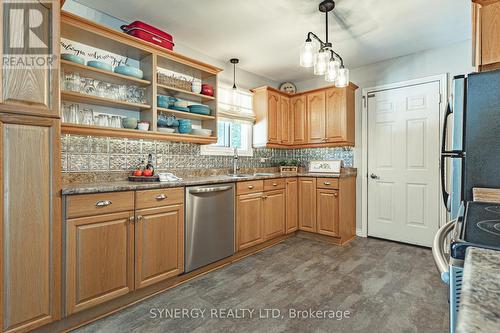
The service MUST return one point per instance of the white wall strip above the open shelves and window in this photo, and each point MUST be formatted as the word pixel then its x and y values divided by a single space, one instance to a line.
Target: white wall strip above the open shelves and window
pixel 244 79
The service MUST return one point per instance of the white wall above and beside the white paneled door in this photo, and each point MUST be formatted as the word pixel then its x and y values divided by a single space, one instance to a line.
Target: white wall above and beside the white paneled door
pixel 453 59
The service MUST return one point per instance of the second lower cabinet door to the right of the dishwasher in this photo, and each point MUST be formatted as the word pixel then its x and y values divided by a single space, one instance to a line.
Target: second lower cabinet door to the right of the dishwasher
pixel 274 214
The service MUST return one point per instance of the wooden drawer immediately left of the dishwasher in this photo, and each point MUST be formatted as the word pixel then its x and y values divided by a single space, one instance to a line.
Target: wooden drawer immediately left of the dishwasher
pixel 158 198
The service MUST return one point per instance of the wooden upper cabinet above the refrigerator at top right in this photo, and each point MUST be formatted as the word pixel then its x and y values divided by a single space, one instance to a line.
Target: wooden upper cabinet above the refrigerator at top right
pixel 486 29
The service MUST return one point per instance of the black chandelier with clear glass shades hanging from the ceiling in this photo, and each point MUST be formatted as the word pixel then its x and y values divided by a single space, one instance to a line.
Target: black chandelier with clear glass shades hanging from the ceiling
pixel 325 60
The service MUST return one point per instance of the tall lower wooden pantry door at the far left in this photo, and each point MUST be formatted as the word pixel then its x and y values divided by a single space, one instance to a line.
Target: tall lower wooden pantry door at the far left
pixel 30 222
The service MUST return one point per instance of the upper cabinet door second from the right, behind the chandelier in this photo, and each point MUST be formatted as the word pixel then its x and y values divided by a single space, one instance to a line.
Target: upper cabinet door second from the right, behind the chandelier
pixel 316 117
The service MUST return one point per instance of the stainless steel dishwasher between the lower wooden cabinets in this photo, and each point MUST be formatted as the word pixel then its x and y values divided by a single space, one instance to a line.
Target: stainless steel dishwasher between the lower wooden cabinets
pixel 209 224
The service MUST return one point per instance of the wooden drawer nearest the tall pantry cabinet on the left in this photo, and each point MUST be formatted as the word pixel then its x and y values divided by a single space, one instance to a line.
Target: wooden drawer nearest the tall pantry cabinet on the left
pixel 99 203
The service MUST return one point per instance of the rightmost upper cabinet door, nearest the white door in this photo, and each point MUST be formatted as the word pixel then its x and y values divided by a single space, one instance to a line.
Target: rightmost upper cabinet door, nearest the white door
pixel 335 115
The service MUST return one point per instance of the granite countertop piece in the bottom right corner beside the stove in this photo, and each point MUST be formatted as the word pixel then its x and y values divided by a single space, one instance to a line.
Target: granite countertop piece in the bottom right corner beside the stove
pixel 479 310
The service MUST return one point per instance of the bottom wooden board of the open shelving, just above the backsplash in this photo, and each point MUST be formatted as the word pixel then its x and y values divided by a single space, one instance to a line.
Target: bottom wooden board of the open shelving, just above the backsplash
pixel 67 128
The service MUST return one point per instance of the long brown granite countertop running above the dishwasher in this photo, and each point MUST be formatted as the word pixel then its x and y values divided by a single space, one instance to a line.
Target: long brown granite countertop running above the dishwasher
pixel 86 188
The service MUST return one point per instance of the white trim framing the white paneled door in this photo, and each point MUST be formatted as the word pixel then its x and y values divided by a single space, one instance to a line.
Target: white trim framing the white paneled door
pixel 443 87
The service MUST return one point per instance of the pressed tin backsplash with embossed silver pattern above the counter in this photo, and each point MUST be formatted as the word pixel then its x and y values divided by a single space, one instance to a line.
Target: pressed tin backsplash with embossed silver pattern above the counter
pixel 90 154
